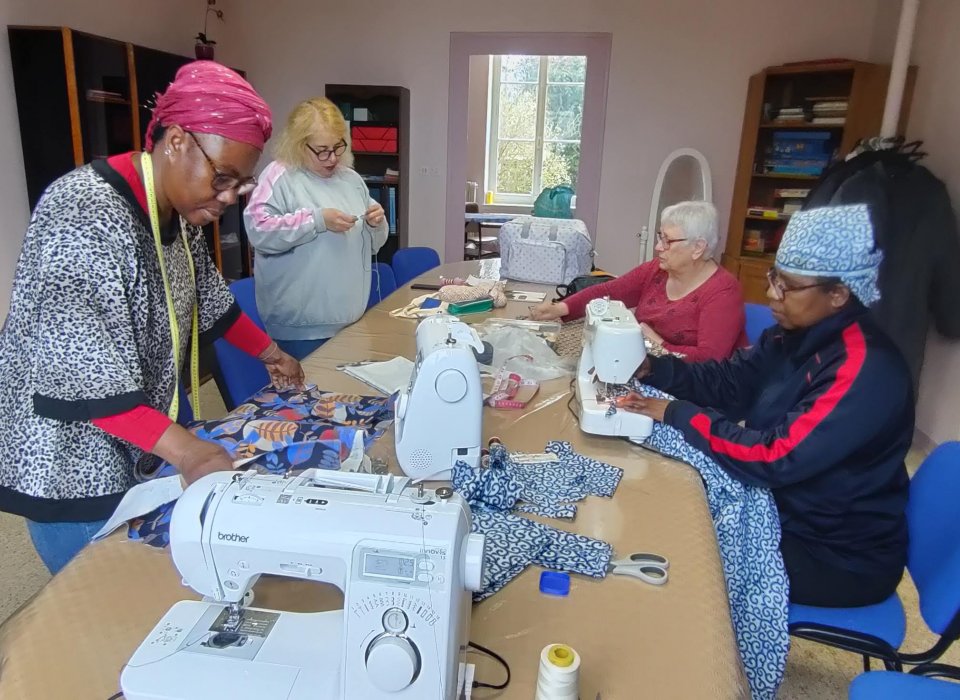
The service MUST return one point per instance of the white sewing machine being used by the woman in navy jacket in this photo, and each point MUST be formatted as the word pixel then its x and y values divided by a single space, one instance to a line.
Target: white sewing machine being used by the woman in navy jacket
pixel 613 349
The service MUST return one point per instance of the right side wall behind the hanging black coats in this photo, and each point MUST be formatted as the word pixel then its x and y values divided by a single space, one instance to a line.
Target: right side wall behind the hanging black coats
pixel 934 119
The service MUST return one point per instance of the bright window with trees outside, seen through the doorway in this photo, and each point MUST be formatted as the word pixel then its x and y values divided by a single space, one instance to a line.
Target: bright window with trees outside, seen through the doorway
pixel 536 113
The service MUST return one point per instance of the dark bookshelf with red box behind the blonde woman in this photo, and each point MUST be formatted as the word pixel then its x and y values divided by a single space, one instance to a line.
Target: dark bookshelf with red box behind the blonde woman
pixel 378 124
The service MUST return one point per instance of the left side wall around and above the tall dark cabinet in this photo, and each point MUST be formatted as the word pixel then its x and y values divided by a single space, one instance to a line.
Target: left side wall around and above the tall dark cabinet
pixel 169 25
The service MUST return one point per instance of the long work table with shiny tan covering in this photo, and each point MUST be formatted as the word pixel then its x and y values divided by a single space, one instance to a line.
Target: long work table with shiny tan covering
pixel 635 640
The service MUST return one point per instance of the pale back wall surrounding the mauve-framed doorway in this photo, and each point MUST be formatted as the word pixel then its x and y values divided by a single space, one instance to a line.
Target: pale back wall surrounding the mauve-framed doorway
pixel 678 77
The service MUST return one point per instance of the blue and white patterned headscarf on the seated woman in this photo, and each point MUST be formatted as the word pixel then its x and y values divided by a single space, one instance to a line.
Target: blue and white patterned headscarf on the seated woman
pixel 833 242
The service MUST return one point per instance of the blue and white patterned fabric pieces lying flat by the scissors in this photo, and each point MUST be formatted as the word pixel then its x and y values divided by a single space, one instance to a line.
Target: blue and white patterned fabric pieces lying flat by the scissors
pixel 513 542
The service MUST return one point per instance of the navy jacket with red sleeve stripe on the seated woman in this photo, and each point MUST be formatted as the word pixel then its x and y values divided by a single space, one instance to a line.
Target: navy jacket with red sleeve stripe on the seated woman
pixel 824 418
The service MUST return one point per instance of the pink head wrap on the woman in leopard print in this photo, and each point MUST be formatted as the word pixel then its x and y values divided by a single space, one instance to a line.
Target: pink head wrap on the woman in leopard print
pixel 209 98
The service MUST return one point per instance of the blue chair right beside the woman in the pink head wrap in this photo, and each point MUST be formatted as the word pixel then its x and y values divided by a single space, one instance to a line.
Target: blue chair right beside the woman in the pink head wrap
pixel 238 375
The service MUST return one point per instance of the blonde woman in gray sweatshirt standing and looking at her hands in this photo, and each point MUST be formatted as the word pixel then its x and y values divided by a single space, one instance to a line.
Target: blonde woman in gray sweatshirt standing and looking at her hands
pixel 315 229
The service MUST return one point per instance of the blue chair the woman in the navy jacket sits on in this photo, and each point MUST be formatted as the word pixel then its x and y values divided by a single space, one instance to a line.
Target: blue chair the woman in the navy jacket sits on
pixel 877 631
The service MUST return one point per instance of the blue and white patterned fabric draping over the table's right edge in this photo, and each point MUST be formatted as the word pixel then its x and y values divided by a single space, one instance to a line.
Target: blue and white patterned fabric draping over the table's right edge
pixel 748 533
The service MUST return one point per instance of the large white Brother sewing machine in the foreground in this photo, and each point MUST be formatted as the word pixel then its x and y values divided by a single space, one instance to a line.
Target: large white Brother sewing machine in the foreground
pixel 404 559
